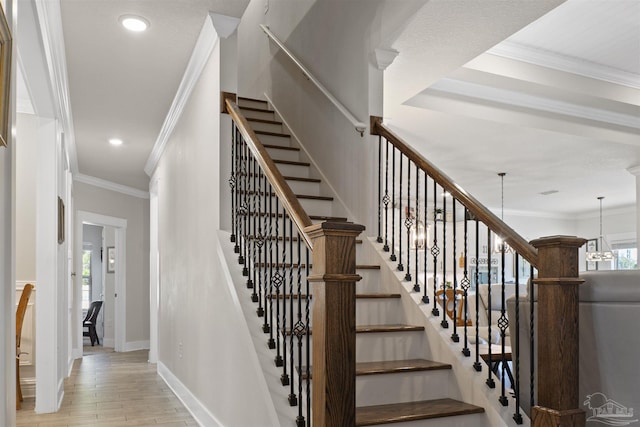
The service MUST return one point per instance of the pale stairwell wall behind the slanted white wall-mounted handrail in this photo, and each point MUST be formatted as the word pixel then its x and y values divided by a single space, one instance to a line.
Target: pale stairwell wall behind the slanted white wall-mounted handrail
pixel 335 41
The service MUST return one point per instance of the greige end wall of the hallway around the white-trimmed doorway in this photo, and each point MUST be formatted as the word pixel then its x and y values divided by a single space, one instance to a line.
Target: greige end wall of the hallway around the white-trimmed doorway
pixel 136 211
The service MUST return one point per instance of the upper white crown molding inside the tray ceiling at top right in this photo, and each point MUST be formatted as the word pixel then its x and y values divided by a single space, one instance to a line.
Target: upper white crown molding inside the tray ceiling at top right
pixel 544 58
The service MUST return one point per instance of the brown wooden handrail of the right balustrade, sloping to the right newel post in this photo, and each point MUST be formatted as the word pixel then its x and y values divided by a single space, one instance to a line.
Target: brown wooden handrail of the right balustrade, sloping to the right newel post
pixel 494 223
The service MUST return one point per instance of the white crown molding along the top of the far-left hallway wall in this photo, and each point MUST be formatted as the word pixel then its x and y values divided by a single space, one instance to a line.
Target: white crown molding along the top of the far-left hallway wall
pixel 50 20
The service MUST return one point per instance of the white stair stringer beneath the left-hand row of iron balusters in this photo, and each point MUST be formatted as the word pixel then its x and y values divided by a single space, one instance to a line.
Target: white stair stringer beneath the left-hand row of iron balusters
pixel 274 392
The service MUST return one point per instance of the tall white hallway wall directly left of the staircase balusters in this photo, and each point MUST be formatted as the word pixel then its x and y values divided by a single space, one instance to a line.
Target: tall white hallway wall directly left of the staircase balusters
pixel 196 344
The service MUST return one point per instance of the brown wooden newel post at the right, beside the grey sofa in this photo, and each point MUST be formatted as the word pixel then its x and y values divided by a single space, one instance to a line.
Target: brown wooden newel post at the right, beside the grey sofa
pixel 558 403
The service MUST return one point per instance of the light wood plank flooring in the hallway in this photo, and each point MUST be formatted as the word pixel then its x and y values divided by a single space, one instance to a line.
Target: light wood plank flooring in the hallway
pixel 114 390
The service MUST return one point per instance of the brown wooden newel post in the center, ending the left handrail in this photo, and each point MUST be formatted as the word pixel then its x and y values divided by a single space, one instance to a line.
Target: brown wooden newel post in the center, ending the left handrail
pixel 334 323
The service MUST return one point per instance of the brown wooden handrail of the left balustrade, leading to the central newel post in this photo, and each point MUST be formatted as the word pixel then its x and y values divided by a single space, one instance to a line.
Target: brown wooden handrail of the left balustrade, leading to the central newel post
pixel 289 200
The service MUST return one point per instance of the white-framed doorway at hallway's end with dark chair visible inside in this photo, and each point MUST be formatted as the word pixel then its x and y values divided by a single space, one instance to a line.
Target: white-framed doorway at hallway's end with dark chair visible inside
pixel 101 260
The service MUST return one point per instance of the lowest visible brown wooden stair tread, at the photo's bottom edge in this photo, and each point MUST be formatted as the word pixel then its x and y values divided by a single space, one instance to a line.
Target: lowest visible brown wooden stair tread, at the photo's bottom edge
pixel 413 411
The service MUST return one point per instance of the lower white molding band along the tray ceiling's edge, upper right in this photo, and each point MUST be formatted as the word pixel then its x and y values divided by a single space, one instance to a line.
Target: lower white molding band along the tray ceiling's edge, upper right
pixel 533 102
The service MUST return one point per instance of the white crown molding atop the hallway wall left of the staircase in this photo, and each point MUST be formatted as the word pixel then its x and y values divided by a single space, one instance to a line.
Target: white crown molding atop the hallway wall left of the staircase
pixel 216 26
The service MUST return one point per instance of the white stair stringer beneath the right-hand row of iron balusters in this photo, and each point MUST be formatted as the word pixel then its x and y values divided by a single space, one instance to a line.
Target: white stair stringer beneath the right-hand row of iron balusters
pixel 469 382
